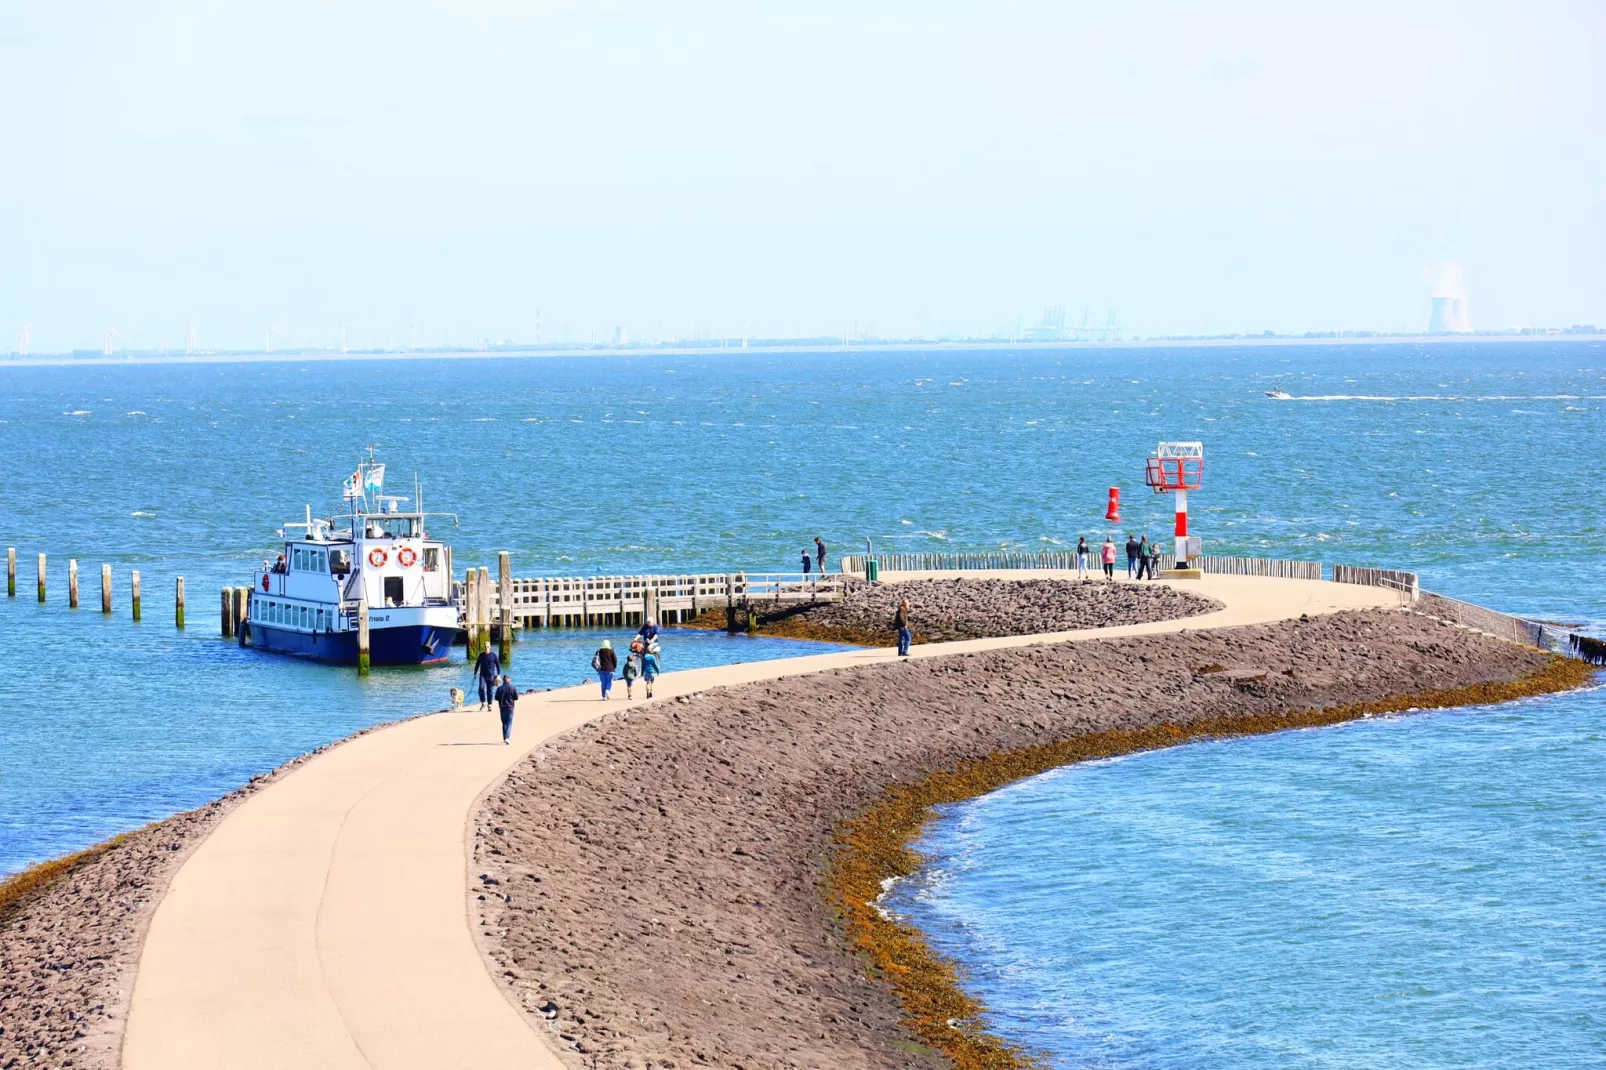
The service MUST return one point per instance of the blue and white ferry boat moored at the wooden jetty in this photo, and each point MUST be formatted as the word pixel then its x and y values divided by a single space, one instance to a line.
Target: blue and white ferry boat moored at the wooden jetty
pixel 378 553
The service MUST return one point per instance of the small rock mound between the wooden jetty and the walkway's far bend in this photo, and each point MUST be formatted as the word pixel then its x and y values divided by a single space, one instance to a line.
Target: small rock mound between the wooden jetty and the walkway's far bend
pixel 977 610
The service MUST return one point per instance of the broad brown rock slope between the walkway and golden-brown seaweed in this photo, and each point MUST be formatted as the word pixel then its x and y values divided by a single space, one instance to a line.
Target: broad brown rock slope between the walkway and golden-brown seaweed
pixel 651 886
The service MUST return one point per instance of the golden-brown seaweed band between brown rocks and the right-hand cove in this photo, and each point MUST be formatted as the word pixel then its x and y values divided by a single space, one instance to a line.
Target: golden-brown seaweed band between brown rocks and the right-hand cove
pixel 878 846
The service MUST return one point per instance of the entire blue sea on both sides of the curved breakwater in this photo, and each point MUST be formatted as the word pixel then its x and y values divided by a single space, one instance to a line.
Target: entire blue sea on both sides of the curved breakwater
pixel 1422 891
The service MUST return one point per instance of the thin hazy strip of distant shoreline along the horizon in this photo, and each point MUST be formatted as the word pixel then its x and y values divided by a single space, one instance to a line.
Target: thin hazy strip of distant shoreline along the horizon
pixel 67 361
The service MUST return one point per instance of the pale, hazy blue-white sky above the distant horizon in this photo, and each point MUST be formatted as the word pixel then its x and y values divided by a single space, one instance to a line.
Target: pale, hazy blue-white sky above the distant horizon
pixel 555 171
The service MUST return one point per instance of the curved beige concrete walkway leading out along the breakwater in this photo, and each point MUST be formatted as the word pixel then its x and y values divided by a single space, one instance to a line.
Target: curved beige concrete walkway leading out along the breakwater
pixel 325 923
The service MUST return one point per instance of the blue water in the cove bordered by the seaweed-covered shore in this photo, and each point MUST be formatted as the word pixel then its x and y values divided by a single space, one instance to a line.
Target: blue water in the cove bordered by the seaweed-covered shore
pixel 1408 892
